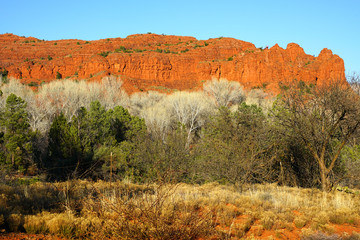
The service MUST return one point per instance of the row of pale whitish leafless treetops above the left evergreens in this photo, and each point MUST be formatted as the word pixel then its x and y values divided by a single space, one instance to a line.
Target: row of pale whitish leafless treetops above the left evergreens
pixel 65 96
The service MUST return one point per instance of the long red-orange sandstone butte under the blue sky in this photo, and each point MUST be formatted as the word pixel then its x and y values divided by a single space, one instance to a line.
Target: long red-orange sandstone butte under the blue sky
pixel 162 62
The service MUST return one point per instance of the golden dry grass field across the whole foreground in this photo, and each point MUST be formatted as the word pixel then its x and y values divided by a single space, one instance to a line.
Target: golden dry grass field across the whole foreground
pixel 88 210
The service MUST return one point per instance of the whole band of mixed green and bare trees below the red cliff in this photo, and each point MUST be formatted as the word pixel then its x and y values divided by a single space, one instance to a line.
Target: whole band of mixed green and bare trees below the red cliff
pixel 307 136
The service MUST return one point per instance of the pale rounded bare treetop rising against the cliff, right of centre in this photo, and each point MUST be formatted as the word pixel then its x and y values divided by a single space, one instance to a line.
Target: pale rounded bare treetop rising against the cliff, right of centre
pixel 225 93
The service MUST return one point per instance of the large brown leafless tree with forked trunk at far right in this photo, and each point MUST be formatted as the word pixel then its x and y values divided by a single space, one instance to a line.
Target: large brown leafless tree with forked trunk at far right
pixel 323 118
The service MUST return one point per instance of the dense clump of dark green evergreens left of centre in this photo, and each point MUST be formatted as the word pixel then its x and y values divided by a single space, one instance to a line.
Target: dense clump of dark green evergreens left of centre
pixel 83 145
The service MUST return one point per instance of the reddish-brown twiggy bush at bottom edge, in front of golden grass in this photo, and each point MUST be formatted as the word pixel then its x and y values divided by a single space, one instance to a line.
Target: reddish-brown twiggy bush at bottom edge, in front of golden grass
pixel 152 215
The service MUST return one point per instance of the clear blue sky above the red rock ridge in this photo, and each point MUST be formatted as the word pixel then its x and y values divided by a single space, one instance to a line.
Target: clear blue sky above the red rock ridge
pixel 313 24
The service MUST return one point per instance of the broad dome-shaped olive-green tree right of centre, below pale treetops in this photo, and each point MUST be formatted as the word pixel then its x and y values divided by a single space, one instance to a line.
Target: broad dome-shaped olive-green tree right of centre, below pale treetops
pixel 238 147
